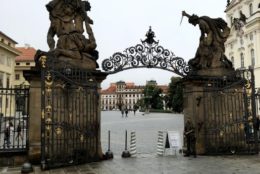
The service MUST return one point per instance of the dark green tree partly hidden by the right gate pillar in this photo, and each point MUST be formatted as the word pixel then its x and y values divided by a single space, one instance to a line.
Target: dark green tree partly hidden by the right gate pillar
pixel 175 95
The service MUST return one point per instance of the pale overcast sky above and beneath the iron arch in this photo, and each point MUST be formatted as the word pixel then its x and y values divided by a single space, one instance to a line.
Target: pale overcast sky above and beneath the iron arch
pixel 118 24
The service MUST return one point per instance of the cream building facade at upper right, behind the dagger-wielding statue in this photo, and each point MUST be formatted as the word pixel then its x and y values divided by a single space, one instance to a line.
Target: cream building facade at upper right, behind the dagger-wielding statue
pixel 243 44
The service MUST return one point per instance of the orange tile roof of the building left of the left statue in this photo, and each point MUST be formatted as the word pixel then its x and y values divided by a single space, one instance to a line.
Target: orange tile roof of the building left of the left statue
pixel 27 54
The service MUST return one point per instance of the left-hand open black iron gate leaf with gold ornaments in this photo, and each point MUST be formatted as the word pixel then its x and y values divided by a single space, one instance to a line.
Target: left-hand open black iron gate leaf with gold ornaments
pixel 69 125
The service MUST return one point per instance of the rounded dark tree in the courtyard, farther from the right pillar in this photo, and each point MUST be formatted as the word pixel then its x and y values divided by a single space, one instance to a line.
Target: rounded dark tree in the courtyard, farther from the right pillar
pixel 152 97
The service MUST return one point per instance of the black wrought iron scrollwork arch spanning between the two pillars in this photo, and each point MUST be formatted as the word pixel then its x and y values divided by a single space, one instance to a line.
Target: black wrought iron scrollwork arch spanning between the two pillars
pixel 146 55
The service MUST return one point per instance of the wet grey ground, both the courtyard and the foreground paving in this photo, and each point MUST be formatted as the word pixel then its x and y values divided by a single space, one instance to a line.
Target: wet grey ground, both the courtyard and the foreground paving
pixel 147 162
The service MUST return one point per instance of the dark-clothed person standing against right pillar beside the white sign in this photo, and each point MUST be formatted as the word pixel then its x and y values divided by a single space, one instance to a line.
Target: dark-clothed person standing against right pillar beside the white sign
pixel 189 133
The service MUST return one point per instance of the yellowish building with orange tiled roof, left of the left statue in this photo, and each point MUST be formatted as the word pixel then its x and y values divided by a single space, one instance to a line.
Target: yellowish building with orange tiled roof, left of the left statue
pixel 23 62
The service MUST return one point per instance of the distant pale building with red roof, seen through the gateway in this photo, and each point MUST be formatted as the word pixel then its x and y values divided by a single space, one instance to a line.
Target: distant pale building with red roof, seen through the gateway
pixel 124 95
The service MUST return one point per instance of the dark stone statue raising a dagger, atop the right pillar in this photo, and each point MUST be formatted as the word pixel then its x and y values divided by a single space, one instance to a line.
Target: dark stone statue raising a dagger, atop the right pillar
pixel 210 53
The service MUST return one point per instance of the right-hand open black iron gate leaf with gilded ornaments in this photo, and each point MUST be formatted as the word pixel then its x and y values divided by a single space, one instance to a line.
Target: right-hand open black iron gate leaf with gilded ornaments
pixel 229 114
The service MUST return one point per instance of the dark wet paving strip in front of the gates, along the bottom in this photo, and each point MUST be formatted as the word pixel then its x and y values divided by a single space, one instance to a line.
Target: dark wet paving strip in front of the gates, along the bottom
pixel 152 164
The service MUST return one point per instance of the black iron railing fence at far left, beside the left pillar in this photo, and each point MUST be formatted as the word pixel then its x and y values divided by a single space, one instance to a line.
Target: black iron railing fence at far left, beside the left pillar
pixel 14 119
